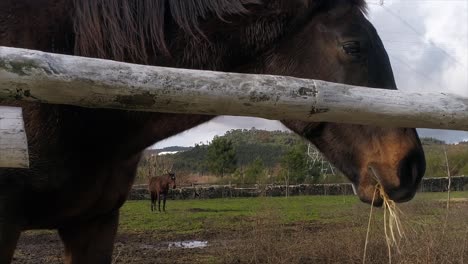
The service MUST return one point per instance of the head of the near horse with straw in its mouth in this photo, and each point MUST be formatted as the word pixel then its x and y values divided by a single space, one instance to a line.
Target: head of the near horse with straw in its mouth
pixel 339 44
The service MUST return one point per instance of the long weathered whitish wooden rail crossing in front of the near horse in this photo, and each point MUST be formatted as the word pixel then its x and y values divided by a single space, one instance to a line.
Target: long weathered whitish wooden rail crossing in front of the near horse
pixel 60 79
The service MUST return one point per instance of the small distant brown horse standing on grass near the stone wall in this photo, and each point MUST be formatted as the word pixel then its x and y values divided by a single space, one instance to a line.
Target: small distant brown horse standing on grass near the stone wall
pixel 159 186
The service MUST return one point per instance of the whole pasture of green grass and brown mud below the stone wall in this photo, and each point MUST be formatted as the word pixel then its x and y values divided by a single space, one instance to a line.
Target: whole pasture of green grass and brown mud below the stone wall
pixel 301 229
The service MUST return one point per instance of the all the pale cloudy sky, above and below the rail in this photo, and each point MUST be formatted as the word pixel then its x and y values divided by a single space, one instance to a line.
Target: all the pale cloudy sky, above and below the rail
pixel 427 41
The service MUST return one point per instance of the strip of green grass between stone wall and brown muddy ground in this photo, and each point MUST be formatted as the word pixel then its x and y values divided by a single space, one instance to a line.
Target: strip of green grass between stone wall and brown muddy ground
pixel 191 217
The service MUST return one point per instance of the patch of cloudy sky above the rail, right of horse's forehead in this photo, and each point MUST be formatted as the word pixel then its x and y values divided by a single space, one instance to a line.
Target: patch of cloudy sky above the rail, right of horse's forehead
pixel 427 42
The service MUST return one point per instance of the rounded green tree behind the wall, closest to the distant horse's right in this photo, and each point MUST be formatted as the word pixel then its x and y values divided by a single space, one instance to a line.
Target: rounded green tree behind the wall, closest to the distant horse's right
pixel 221 156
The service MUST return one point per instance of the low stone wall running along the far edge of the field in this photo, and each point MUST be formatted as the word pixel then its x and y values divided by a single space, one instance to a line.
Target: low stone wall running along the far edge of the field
pixel 459 183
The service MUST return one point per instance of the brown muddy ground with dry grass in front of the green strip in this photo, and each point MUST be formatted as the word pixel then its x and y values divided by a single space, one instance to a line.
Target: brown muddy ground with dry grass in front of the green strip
pixel 292 244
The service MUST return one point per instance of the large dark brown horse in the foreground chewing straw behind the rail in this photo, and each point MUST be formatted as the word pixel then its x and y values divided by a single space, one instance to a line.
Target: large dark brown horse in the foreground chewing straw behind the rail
pixel 83 161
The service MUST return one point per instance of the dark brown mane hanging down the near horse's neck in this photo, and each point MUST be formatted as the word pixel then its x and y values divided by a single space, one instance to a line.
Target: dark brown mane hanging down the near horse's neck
pixel 130 30
